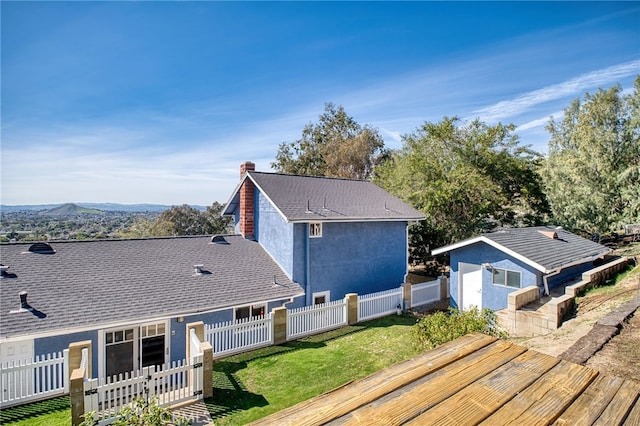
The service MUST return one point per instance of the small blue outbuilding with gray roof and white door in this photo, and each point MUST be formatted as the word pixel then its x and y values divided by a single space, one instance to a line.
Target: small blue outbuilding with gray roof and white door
pixel 485 269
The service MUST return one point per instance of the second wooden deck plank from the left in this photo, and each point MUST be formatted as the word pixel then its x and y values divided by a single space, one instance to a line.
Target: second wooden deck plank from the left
pixel 403 405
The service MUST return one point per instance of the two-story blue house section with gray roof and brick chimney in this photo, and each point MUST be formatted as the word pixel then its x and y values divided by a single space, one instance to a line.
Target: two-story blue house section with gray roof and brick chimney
pixel 331 236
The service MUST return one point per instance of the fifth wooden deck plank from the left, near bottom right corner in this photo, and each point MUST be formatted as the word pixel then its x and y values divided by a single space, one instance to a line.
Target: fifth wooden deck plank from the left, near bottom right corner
pixel 589 406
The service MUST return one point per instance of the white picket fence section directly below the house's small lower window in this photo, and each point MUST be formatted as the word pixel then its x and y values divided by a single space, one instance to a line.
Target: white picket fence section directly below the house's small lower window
pixel 309 320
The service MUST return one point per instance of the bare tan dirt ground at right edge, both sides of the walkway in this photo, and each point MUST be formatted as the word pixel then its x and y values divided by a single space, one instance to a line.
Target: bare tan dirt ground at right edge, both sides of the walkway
pixel 590 309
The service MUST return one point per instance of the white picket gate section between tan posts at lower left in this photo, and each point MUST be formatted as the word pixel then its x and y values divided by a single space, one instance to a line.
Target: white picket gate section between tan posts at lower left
pixel 175 383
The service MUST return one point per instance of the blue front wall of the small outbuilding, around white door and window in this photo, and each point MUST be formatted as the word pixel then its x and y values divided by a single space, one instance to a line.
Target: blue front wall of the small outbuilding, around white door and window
pixel 493 296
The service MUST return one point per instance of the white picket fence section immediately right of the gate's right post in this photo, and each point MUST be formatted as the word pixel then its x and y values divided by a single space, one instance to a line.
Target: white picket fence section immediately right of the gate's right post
pixel 230 337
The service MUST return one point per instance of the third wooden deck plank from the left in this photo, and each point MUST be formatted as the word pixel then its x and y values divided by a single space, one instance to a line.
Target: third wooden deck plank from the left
pixel 482 398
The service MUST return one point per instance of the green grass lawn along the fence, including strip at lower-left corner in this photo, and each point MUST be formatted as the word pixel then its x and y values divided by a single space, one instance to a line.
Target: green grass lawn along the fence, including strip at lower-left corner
pixel 252 385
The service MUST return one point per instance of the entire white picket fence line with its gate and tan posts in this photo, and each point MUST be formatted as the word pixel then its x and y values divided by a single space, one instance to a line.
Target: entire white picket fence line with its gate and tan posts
pixel 191 379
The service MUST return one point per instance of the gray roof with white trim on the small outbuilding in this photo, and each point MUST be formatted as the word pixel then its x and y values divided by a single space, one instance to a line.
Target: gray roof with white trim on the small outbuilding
pixel 537 249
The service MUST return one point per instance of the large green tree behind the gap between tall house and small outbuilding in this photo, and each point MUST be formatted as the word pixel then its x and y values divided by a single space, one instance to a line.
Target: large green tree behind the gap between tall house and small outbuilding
pixel 465 179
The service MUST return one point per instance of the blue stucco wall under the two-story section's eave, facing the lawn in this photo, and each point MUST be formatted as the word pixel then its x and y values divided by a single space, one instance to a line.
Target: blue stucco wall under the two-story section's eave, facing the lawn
pixel 357 257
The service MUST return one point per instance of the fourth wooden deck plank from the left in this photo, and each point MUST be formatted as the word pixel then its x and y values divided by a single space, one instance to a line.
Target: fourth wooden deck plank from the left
pixel 546 399
